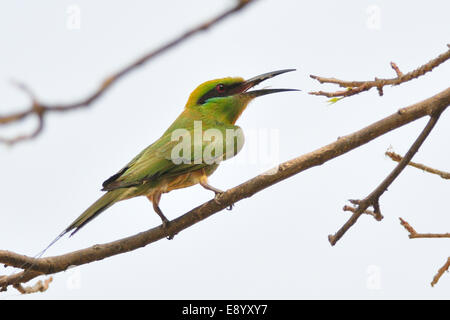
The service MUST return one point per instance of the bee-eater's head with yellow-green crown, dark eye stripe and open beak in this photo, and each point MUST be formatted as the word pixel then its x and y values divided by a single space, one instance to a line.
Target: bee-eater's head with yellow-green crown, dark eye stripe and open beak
pixel 226 98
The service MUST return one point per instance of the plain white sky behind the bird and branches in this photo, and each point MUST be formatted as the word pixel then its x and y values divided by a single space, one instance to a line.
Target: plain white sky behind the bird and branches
pixel 274 244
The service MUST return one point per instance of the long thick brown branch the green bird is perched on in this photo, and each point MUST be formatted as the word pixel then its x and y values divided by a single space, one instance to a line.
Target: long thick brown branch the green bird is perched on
pixel 51 265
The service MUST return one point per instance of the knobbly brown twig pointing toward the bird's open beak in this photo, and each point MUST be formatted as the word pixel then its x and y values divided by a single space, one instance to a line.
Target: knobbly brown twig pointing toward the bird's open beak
pixel 355 87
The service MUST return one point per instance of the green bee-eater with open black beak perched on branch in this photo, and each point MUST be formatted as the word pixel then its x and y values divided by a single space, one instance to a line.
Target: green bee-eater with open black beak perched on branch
pixel 215 104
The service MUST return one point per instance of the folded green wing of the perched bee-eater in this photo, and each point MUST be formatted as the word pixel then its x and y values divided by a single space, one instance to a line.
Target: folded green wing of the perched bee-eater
pixel 178 152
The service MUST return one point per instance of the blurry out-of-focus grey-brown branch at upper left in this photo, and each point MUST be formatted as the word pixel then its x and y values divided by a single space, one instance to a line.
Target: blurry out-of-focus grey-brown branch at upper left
pixel 40 109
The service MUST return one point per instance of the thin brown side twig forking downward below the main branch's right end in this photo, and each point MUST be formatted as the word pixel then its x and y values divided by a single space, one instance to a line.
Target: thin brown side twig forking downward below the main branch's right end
pixel 373 198
